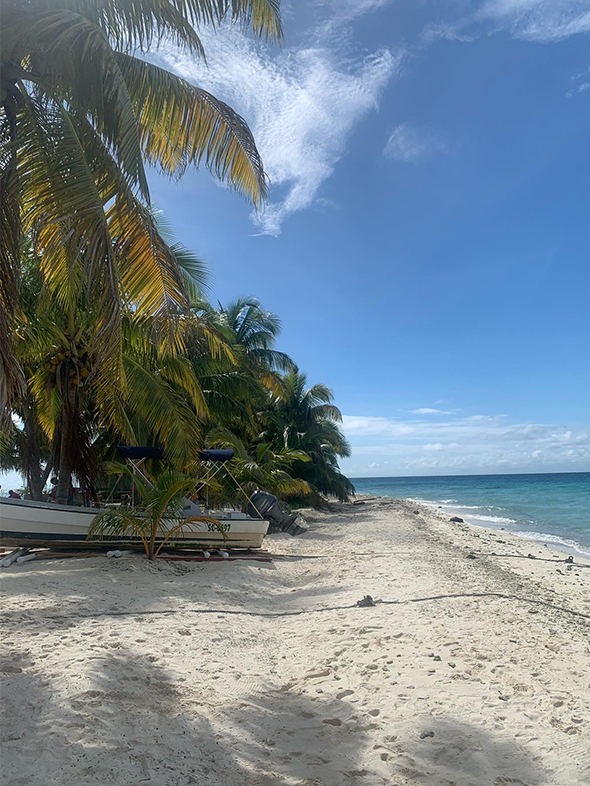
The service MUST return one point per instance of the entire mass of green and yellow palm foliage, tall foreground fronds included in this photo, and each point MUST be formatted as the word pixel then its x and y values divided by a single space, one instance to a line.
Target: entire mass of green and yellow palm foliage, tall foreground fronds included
pixel 105 333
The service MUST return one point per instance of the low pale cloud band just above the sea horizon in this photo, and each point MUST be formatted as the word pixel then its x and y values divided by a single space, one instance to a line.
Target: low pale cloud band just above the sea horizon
pixel 477 443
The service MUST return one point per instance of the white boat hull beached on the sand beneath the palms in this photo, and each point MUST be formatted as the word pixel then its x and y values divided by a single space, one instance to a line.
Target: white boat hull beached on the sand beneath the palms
pixel 27 523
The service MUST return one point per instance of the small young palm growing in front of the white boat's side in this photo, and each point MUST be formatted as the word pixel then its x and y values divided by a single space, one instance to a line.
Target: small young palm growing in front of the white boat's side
pixel 159 517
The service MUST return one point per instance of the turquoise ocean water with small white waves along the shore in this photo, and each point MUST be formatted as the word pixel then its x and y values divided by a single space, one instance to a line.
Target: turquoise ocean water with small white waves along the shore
pixel 549 508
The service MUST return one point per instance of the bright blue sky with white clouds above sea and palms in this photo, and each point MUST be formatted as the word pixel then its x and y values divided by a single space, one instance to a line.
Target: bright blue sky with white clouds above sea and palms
pixel 426 241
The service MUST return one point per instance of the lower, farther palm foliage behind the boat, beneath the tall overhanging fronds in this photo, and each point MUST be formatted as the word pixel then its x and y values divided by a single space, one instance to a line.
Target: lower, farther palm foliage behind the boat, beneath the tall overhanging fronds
pixel 226 389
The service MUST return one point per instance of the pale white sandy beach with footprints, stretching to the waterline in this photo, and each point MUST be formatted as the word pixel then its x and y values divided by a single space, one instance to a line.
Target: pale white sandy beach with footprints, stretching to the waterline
pixel 491 655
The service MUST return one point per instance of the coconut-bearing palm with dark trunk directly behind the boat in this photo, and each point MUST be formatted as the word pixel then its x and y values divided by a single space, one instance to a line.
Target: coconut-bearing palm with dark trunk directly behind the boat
pixel 72 401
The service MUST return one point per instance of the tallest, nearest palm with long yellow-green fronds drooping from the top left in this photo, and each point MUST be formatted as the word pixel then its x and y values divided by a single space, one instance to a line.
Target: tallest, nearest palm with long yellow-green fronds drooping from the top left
pixel 80 114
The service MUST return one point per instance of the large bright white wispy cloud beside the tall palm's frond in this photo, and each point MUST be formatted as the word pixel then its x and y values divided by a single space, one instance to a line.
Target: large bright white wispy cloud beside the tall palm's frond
pixel 302 104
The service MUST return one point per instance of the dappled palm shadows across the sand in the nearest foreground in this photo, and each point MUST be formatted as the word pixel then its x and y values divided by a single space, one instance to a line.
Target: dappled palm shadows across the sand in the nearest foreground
pixel 134 721
